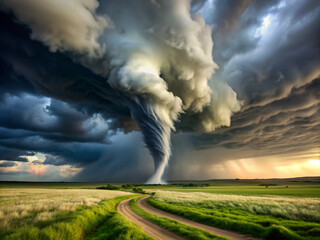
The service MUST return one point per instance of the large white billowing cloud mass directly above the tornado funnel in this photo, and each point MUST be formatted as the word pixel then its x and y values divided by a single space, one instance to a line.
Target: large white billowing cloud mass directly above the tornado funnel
pixel 170 60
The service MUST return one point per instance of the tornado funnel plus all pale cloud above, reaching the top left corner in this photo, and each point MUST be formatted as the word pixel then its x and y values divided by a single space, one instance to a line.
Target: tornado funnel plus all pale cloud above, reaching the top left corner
pixel 155 59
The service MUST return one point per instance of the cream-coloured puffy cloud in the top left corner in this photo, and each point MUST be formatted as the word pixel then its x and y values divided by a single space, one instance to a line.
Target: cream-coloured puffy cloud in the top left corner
pixel 62 25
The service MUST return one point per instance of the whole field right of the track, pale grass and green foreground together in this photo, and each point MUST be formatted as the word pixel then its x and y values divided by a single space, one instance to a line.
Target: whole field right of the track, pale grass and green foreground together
pixel 264 217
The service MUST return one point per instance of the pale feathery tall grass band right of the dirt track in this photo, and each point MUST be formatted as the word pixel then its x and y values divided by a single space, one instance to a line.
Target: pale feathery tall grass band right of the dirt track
pixel 306 209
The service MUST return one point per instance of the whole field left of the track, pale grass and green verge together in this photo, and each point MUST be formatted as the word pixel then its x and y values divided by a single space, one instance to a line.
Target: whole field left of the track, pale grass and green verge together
pixel 64 214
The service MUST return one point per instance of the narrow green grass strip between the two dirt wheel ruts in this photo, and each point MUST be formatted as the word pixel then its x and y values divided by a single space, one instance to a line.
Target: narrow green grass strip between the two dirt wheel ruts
pixel 174 226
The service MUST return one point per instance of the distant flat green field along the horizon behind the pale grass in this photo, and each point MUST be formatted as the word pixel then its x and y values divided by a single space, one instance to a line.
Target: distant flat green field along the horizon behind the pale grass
pixel 298 188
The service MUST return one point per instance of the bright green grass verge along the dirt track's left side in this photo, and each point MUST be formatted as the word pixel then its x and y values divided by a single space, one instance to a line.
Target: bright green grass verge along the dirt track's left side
pixel 79 224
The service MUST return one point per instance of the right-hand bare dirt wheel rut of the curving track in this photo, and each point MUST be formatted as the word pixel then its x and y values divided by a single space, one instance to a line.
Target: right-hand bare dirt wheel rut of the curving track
pixel 142 203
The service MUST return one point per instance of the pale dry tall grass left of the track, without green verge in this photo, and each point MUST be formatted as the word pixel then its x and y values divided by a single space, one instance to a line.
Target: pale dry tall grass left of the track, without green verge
pixel 19 207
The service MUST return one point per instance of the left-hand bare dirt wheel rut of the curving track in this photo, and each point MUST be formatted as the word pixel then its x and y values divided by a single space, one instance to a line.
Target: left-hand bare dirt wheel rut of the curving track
pixel 148 227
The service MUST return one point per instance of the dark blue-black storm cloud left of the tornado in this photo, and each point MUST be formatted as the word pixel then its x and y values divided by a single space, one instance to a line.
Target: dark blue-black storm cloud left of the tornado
pixel 31 122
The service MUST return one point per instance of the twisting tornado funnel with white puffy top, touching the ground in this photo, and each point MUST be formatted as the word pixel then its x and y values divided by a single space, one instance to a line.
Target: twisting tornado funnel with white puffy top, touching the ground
pixel 152 106
